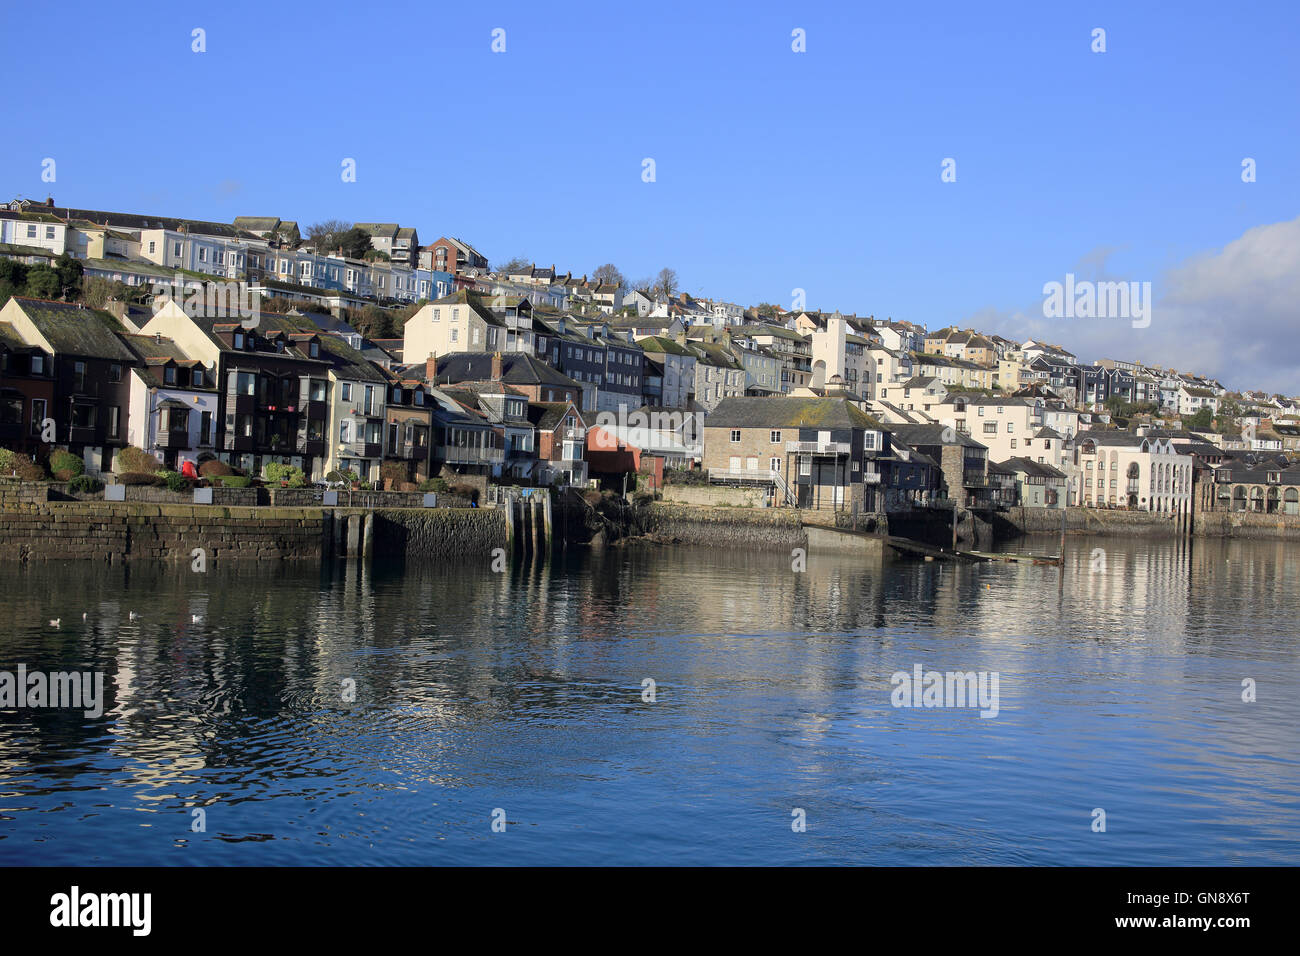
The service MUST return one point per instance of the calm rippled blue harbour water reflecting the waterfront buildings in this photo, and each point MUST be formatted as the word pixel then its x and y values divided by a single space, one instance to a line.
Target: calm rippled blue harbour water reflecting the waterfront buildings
pixel 1121 689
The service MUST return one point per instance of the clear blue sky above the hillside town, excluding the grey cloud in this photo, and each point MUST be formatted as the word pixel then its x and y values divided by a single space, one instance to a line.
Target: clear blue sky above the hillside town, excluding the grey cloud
pixel 775 170
